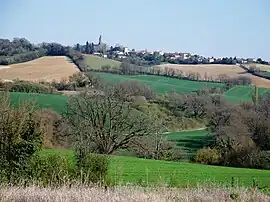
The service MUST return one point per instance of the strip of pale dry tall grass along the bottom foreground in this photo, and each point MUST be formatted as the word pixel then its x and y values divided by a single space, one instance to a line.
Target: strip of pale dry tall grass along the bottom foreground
pixel 129 193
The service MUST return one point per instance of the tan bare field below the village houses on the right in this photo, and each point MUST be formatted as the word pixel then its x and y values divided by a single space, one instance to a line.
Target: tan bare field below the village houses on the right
pixel 214 70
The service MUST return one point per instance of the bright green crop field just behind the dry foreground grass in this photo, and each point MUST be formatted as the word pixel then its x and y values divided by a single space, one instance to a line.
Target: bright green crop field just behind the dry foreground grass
pixel 135 170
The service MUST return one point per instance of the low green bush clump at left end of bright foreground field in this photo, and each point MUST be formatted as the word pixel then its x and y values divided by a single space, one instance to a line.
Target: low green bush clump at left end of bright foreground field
pixel 51 169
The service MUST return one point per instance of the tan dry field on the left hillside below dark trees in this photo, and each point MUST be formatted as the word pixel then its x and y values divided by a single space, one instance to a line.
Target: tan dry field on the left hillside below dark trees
pixel 46 68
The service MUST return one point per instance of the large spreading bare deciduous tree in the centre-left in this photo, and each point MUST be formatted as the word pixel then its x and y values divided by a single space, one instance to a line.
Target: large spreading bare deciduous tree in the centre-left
pixel 105 122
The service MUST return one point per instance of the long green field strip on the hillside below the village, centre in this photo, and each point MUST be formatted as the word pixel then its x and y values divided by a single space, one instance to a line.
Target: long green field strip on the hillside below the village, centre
pixel 161 84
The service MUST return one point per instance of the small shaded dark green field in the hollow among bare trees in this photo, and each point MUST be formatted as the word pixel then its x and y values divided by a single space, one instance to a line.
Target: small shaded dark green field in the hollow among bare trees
pixel 190 141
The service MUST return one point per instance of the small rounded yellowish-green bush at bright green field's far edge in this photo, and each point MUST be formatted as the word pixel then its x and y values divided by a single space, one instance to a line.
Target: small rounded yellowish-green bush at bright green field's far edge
pixel 207 156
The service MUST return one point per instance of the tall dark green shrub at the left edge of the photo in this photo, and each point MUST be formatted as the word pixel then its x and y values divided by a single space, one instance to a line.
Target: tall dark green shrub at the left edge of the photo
pixel 20 138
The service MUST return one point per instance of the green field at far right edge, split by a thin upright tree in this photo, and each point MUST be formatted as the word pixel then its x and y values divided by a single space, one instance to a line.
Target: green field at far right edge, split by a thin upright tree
pixel 242 93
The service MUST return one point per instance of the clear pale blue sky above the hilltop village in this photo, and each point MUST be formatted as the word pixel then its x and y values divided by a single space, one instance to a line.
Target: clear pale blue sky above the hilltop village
pixel 216 28
